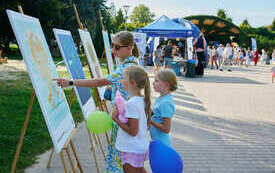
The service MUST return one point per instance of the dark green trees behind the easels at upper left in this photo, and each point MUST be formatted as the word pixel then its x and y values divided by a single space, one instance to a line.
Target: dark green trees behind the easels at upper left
pixel 58 14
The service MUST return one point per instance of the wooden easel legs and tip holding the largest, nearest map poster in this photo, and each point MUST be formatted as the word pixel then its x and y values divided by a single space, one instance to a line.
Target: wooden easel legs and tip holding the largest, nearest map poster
pixel 65 148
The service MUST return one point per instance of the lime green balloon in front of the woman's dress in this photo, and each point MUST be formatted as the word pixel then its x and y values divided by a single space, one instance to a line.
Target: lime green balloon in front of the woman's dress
pixel 99 122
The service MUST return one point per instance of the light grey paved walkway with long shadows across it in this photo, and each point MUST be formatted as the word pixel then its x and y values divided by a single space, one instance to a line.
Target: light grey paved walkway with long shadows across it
pixel 225 122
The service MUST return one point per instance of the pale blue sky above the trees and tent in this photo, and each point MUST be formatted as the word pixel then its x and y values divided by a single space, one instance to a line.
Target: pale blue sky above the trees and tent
pixel 257 12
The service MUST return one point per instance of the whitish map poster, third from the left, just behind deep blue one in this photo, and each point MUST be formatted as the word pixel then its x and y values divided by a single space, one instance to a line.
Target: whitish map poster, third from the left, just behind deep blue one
pixel 92 58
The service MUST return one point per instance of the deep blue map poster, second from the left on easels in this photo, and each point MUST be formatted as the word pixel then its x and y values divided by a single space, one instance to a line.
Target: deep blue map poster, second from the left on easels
pixel 69 53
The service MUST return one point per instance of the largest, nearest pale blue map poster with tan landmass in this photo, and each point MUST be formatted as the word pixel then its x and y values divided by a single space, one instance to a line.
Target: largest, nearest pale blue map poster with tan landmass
pixel 41 68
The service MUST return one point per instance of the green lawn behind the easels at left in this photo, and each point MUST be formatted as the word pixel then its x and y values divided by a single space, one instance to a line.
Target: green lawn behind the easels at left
pixel 14 99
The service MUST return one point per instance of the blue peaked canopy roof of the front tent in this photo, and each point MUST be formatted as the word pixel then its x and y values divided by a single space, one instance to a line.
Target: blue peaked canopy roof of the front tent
pixel 165 27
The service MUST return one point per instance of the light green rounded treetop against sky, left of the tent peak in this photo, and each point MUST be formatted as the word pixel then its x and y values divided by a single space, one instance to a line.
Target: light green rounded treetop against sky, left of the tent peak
pixel 142 14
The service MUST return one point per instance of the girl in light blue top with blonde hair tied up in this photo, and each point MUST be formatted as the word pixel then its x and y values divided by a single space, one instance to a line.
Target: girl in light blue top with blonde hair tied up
pixel 164 108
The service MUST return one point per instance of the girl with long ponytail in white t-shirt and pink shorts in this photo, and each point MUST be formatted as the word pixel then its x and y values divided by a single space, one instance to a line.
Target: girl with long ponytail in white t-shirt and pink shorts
pixel 132 139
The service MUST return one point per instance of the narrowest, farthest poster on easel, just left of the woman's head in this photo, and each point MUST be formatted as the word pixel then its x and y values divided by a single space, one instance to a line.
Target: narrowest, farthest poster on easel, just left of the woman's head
pixel 108 51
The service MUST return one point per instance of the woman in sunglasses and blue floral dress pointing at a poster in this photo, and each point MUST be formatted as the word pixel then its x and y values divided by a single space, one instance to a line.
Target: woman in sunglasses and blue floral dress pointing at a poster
pixel 122 47
